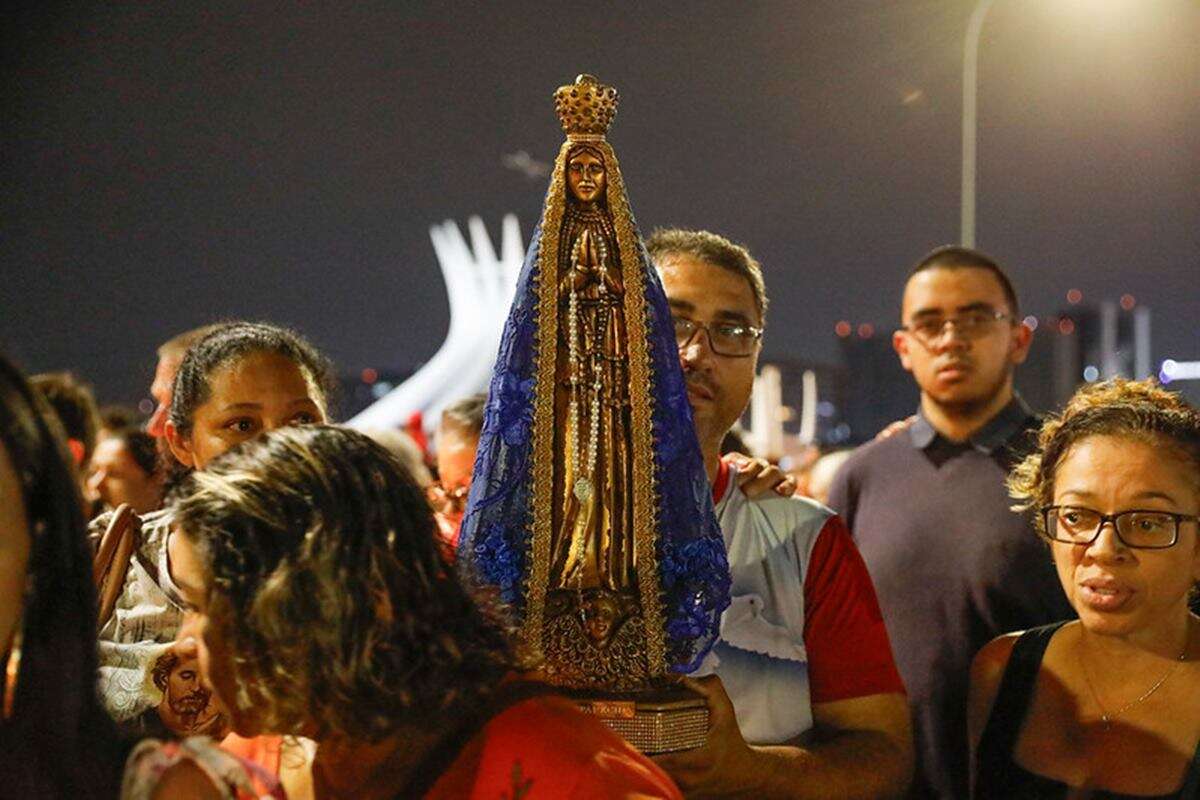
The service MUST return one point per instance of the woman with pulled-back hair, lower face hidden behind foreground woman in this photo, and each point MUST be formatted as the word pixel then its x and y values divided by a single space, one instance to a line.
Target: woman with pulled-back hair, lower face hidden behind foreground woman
pixel 237 382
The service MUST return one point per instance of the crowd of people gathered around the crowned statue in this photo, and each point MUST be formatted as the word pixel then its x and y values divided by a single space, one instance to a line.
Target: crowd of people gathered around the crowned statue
pixel 982 603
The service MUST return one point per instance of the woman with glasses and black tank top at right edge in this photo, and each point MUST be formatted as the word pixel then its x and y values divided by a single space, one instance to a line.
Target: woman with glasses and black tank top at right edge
pixel 1107 706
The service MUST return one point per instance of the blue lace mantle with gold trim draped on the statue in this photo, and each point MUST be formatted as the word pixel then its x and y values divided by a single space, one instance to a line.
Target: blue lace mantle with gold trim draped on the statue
pixel 495 550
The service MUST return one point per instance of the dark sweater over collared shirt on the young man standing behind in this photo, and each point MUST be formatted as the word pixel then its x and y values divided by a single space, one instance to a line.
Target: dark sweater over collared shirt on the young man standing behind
pixel 953 566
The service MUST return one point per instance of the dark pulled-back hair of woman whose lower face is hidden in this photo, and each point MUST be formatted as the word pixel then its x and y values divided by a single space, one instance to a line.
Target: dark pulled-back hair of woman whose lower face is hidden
pixel 230 342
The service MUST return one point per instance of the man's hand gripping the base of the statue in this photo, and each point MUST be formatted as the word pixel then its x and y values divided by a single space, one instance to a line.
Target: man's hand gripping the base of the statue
pixel 725 765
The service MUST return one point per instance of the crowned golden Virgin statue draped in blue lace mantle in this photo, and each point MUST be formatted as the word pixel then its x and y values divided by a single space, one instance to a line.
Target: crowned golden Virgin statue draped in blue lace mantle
pixel 590 510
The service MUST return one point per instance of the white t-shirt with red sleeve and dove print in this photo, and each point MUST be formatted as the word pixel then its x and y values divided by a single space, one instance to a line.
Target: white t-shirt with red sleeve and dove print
pixel 805 625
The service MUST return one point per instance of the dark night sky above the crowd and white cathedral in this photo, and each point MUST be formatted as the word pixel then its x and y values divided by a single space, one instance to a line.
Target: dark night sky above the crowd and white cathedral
pixel 175 164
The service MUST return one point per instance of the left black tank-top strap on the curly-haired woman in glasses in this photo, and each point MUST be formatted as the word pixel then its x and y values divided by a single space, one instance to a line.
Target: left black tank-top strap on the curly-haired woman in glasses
pixel 1010 708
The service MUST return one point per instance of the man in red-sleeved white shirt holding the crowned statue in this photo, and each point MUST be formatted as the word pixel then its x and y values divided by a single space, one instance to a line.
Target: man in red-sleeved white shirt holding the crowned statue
pixel 806 701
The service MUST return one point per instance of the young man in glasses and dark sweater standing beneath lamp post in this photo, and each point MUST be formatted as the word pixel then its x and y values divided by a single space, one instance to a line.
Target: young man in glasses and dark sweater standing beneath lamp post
pixel 953 566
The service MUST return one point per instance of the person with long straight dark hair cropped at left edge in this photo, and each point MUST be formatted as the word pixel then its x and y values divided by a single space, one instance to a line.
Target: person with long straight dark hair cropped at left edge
pixel 56 741
